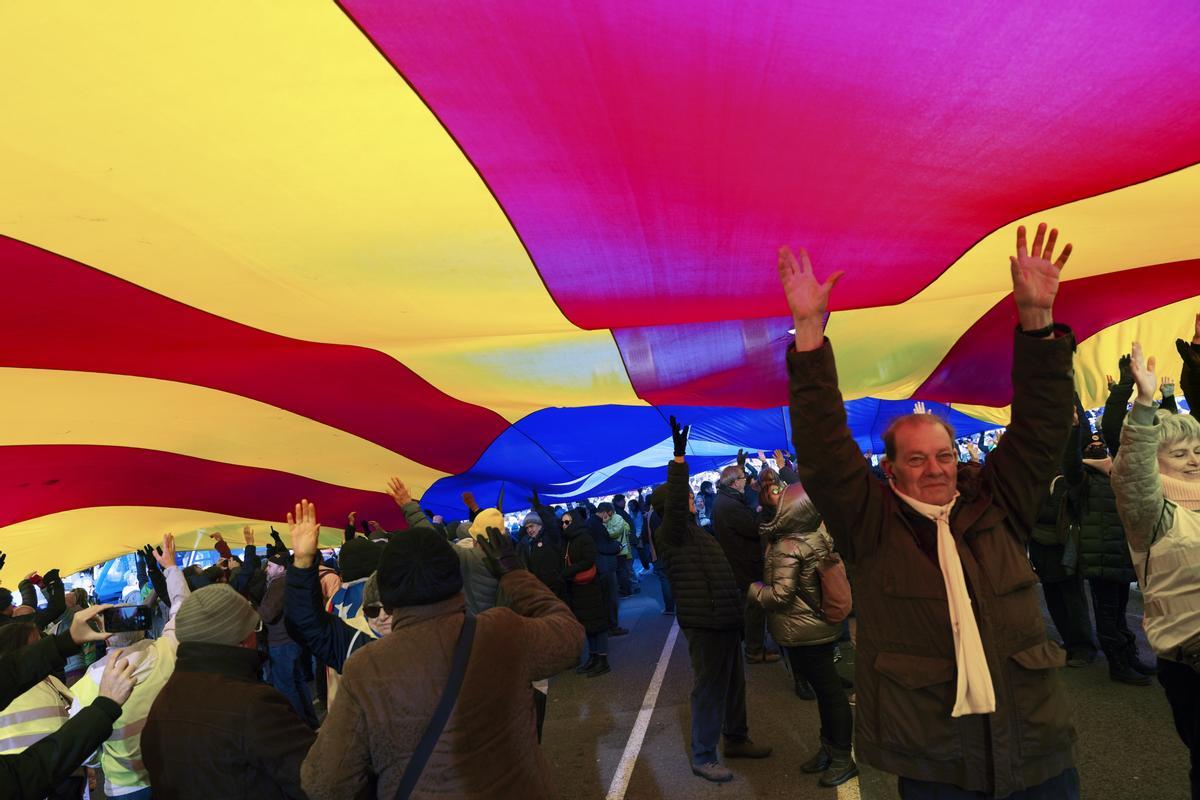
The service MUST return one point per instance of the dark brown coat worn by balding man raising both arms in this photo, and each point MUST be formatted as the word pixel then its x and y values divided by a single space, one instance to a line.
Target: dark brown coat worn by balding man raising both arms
pixel 905 677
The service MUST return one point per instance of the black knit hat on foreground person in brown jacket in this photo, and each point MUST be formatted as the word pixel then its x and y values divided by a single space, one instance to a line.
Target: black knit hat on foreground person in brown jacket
pixel 418 568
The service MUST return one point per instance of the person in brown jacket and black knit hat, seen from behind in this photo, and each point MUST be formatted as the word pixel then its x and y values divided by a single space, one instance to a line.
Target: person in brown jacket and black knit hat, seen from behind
pixel 489 748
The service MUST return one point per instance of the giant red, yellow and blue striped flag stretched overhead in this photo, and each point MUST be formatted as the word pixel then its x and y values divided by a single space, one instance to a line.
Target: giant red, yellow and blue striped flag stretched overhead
pixel 255 252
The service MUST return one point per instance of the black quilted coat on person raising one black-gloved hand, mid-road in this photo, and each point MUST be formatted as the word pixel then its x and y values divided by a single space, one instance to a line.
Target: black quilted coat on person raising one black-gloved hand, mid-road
pixel 706 593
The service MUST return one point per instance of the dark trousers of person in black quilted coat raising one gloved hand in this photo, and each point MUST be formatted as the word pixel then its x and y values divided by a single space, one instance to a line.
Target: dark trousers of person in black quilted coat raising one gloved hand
pixel 718 691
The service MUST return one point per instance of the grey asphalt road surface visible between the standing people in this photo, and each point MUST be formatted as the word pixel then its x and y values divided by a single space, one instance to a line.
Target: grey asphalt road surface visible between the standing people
pixel 1127 745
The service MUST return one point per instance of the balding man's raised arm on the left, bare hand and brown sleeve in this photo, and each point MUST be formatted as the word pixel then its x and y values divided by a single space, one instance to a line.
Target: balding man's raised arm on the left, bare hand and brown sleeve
pixel 830 464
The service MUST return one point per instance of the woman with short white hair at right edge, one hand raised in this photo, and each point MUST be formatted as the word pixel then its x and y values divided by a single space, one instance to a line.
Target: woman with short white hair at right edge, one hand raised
pixel 1157 482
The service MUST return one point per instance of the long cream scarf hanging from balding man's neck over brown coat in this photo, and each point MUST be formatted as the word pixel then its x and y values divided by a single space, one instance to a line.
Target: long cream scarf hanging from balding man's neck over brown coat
pixel 975 694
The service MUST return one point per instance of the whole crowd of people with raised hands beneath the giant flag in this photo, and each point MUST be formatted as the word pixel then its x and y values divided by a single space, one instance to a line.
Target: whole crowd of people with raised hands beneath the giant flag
pixel 430 648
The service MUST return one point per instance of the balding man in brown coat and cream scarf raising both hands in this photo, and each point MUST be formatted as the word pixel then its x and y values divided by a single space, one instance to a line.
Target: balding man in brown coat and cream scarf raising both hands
pixel 958 691
